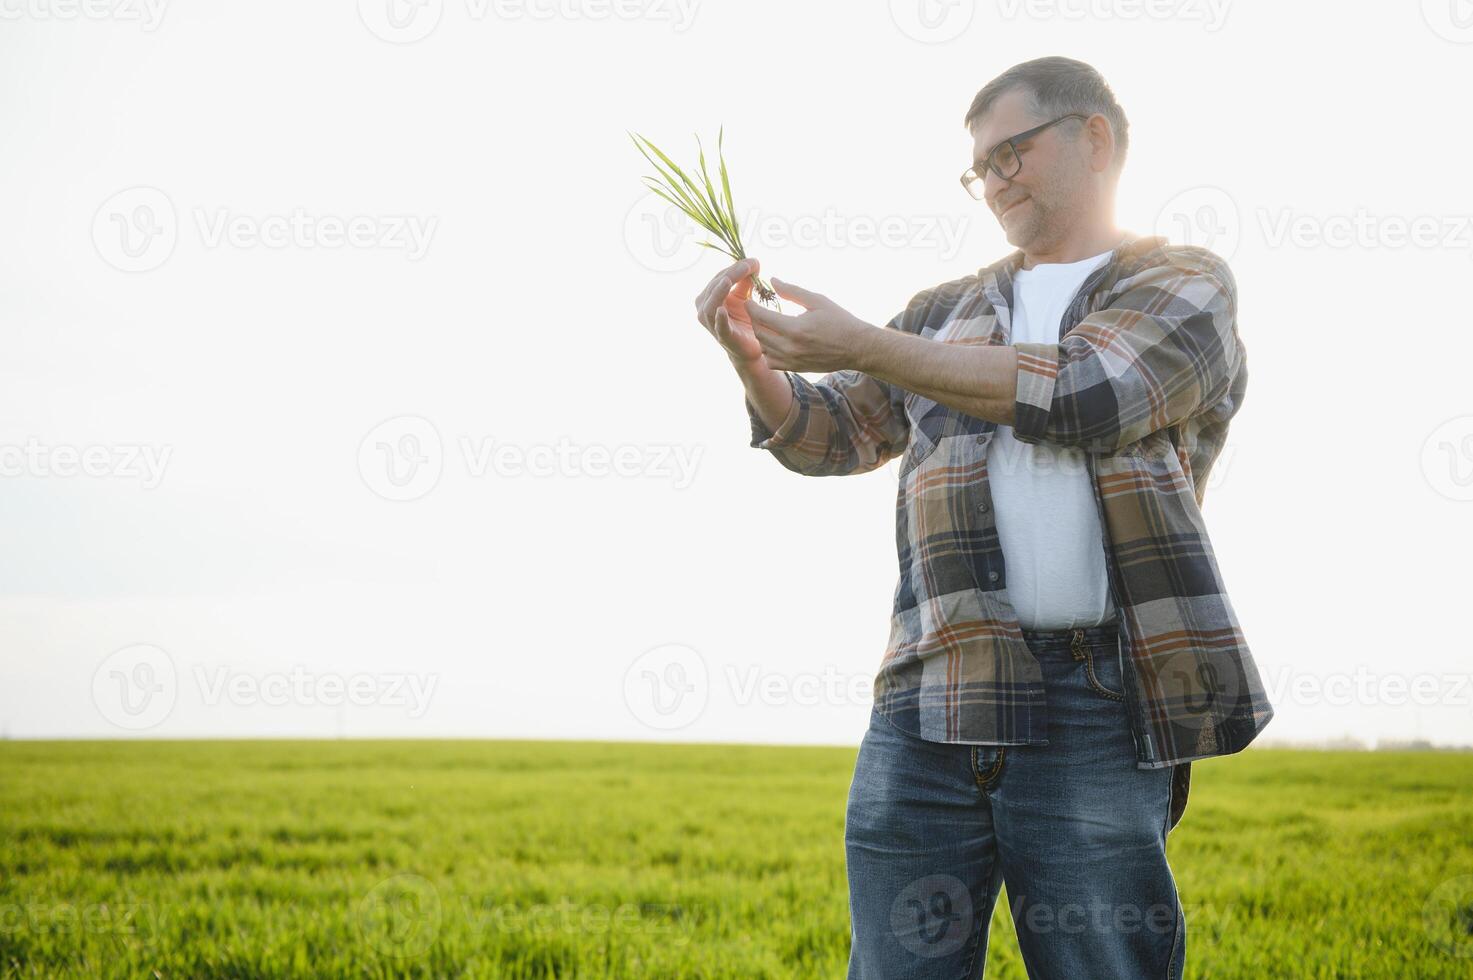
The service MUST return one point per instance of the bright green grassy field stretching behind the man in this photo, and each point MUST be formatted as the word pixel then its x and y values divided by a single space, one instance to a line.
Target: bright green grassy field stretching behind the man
pixel 616 860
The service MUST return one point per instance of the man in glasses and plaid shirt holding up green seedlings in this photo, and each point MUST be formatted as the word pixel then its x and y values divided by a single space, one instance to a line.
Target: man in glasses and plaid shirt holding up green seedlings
pixel 1035 720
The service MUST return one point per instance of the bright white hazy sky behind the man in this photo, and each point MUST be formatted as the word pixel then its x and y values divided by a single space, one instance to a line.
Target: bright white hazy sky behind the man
pixel 538 307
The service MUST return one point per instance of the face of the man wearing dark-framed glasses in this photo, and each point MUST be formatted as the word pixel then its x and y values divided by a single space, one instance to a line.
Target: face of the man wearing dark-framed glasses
pixel 1051 192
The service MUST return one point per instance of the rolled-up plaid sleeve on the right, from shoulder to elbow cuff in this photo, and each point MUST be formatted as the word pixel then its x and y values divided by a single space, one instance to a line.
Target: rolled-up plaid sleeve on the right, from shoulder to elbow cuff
pixel 1161 351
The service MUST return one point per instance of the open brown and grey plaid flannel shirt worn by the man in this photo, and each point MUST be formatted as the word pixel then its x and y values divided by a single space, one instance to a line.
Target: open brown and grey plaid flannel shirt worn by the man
pixel 1147 375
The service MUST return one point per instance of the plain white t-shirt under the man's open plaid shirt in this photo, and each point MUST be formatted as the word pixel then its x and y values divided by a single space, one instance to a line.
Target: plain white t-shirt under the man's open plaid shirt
pixel 1052 543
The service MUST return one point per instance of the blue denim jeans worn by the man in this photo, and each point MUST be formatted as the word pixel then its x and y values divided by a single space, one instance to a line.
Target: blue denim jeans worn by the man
pixel 1075 829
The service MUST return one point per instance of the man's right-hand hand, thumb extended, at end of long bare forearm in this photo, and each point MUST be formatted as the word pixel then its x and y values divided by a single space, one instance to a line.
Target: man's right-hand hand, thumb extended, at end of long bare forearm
pixel 827 338
